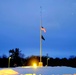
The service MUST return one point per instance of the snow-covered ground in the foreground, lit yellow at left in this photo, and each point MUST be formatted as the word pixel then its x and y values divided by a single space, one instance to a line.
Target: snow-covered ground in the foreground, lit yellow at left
pixel 38 71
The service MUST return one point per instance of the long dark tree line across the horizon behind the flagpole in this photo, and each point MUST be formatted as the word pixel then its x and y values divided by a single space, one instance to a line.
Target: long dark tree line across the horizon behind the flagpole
pixel 18 59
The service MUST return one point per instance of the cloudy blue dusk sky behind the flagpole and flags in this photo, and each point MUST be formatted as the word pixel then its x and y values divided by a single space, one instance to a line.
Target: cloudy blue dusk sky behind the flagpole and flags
pixel 20 27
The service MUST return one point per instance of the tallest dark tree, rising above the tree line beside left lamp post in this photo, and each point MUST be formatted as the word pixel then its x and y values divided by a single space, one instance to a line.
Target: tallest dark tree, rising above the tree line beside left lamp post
pixel 16 57
